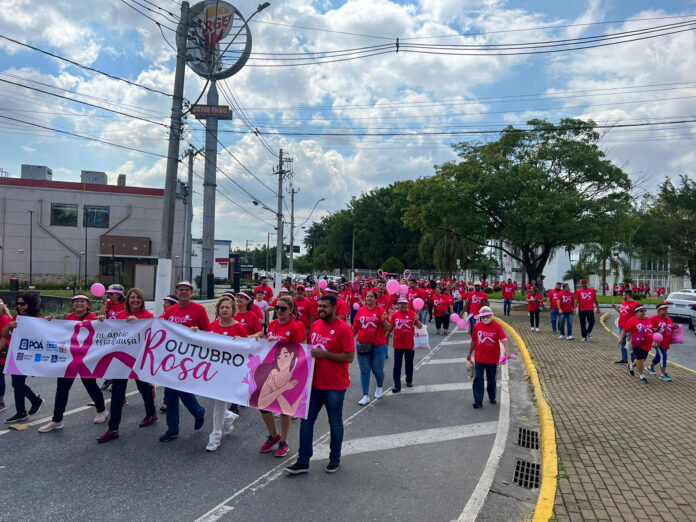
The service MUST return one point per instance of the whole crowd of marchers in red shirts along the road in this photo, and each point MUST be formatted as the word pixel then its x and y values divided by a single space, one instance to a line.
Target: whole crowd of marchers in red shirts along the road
pixel 337 320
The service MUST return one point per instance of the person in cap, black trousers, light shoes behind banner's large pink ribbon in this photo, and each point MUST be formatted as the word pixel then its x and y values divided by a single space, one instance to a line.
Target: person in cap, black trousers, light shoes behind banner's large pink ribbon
pixel 80 305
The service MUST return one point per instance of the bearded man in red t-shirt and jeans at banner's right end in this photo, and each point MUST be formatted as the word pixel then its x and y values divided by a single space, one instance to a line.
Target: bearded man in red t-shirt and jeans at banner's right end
pixel 334 350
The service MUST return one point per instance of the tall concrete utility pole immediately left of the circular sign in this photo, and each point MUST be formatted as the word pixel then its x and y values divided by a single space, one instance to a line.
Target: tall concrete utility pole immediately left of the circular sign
pixel 164 265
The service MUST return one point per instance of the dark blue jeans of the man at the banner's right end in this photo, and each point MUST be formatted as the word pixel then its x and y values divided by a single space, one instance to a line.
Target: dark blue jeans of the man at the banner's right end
pixel 333 401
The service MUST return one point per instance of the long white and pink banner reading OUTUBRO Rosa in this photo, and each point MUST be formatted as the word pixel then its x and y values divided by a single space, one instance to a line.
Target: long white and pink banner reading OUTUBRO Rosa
pixel 269 375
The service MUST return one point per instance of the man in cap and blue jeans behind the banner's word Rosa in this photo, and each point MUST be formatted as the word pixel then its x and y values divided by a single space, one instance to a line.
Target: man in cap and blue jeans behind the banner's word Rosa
pixel 194 316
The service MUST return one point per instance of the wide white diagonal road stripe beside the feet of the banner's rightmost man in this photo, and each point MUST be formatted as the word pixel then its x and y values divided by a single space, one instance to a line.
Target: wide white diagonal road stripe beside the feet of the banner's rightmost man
pixel 412 438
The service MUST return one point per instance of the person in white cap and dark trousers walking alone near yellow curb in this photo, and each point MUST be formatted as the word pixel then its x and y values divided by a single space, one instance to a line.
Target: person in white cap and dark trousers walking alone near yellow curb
pixel 485 345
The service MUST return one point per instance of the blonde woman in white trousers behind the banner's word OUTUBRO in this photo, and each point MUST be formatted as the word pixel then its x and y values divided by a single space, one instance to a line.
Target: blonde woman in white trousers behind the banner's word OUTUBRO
pixel 225 324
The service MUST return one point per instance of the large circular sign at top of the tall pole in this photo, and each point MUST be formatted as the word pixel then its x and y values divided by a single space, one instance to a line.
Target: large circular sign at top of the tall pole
pixel 218 41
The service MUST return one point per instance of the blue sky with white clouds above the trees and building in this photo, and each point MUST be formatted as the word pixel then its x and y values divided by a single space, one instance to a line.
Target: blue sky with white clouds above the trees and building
pixel 359 117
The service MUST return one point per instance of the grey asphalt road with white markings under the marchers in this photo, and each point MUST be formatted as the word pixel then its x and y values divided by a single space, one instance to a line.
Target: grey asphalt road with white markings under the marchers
pixel 413 456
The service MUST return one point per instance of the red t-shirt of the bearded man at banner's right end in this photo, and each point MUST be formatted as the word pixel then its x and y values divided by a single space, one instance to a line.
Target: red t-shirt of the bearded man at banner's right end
pixel 335 337
